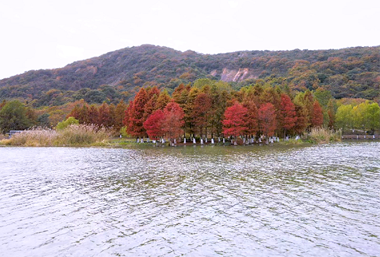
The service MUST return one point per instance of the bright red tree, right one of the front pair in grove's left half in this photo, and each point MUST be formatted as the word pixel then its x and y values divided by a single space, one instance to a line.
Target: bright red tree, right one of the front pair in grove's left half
pixel 173 120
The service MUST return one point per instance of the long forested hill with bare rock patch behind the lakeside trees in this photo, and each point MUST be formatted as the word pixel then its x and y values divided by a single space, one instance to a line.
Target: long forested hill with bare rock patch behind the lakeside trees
pixel 350 72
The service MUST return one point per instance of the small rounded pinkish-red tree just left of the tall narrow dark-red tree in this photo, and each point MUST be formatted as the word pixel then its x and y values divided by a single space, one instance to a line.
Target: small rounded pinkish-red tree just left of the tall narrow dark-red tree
pixel 267 119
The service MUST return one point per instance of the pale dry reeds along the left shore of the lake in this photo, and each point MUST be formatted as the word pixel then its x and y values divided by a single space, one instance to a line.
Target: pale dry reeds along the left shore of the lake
pixel 73 135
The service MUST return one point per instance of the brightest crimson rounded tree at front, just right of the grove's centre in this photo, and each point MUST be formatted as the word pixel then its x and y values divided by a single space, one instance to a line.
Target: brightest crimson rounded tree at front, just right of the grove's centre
pixel 234 123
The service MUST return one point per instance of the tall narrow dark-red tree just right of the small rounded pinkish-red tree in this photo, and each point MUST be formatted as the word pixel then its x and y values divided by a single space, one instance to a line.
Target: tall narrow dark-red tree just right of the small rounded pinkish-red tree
pixel 288 116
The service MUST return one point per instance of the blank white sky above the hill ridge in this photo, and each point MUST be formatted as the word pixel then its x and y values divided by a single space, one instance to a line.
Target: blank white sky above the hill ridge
pixel 44 34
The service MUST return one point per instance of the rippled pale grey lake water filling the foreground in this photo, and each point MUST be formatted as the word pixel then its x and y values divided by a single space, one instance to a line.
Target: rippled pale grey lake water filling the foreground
pixel 191 201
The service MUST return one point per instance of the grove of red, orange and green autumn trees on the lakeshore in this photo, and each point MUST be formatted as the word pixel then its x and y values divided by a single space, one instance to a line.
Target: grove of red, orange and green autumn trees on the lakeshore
pixel 209 109
